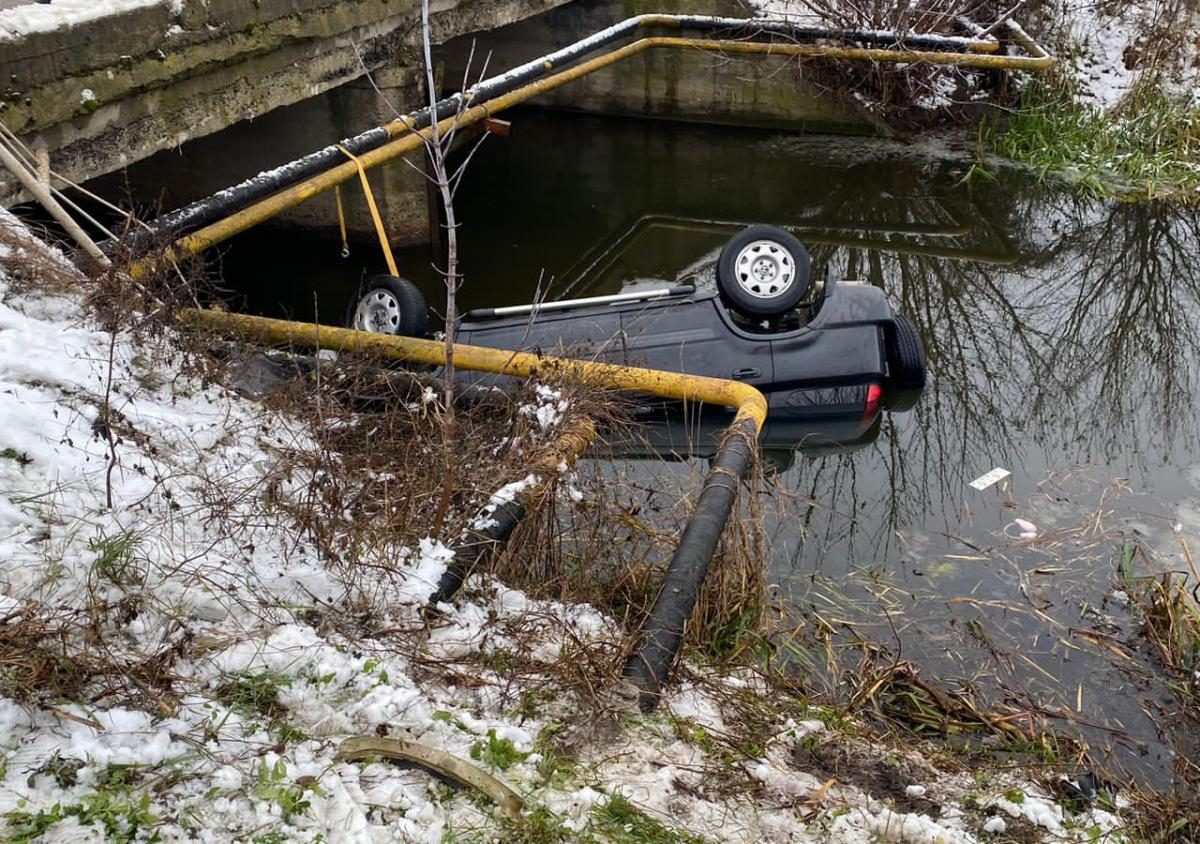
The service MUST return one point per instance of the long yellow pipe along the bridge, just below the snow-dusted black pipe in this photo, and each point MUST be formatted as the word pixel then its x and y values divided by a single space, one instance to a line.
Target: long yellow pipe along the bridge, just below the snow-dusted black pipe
pixel 411 141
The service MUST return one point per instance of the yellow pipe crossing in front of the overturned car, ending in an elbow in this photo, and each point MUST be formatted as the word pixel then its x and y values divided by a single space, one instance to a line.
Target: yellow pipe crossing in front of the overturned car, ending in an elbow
pixel 751 404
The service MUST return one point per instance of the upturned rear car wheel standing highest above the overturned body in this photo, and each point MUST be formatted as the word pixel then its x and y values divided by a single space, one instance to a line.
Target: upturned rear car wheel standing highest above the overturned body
pixel 764 272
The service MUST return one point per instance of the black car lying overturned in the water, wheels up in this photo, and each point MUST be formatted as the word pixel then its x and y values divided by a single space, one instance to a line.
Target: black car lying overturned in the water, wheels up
pixel 817 349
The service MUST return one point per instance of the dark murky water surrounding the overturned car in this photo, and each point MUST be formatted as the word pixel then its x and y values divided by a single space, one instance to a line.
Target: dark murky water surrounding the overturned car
pixel 1063 346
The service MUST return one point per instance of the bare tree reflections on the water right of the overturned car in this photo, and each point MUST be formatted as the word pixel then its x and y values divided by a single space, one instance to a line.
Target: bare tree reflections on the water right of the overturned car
pixel 1081 351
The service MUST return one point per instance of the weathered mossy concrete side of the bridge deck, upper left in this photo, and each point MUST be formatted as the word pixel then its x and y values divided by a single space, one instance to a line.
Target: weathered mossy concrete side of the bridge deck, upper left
pixel 118 89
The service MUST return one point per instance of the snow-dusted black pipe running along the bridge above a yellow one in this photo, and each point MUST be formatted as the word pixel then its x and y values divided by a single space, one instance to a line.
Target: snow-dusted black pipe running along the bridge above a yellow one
pixel 232 200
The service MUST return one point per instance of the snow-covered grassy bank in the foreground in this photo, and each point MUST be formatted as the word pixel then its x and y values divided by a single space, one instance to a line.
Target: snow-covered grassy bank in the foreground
pixel 197 570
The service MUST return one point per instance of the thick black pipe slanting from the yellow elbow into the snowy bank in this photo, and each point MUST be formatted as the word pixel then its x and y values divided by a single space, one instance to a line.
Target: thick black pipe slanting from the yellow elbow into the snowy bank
pixel 663 633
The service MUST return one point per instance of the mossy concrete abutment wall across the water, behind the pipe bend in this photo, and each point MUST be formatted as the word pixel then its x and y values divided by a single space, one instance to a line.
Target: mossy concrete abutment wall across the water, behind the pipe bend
pixel 694 86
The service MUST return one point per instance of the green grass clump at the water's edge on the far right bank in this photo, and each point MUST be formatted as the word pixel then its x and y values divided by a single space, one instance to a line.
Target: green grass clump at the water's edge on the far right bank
pixel 1149 149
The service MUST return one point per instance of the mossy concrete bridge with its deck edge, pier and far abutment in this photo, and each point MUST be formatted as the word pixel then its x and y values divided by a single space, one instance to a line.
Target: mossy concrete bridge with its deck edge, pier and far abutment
pixel 202 94
